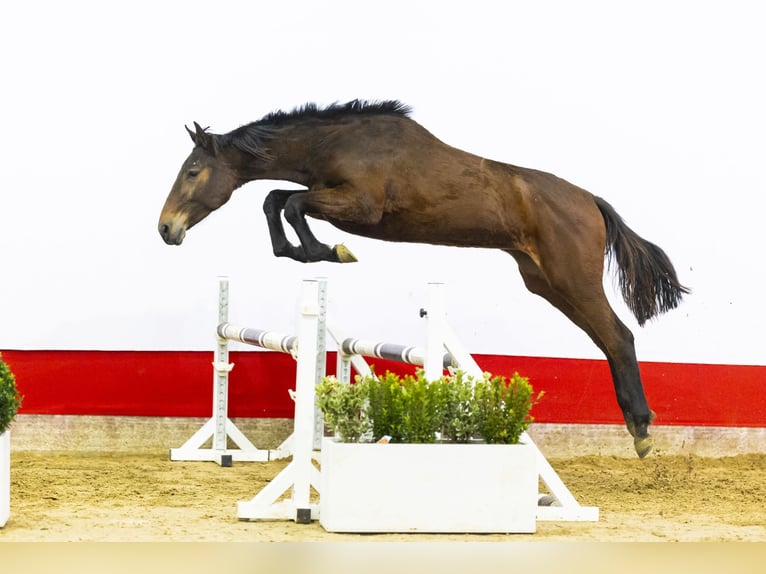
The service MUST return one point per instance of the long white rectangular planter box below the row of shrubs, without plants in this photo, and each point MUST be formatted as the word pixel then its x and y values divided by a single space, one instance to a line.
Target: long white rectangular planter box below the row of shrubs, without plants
pixel 437 488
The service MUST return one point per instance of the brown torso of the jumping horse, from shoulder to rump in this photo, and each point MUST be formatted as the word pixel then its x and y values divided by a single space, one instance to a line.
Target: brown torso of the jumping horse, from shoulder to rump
pixel 428 191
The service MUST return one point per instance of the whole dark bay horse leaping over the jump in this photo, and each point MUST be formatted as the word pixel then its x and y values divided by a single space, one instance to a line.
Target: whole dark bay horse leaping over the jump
pixel 371 170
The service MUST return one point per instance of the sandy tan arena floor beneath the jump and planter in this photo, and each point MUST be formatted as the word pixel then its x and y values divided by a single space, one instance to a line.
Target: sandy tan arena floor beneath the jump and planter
pixel 96 497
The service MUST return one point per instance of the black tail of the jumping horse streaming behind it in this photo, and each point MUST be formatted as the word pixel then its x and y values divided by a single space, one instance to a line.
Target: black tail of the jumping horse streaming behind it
pixel 646 276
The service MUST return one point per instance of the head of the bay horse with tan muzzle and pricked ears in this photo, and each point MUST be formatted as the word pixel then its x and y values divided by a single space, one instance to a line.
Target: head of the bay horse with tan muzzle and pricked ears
pixel 204 184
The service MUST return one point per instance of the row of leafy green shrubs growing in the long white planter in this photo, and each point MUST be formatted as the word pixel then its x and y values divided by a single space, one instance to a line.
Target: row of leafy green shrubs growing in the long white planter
pixel 411 409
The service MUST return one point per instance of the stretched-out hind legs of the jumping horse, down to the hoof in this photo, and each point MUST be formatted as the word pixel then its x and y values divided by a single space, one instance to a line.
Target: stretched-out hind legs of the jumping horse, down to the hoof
pixel 583 301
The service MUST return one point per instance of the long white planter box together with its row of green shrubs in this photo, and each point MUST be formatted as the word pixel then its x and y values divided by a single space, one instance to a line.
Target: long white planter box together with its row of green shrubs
pixel 434 456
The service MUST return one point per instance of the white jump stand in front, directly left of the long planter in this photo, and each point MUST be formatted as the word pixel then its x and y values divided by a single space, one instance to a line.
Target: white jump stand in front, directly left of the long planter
pixel 300 473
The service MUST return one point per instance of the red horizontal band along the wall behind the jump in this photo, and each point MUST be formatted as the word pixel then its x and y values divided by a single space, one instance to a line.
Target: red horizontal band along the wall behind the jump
pixel 179 383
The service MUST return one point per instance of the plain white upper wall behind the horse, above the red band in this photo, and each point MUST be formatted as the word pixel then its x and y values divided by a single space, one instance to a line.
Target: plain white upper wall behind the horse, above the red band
pixel 656 106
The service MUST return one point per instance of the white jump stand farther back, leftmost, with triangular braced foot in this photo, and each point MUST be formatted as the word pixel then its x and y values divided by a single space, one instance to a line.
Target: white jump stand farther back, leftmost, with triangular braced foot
pixel 219 428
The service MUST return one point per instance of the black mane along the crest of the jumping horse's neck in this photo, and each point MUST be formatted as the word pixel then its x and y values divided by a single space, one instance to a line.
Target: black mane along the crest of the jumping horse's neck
pixel 251 138
